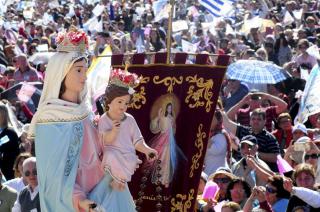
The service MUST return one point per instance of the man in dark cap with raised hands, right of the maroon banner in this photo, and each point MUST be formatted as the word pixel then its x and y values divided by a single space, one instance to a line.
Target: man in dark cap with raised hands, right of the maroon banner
pixel 250 167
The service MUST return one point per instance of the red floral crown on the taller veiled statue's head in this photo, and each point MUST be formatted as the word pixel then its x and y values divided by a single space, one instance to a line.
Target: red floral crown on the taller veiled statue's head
pixel 72 41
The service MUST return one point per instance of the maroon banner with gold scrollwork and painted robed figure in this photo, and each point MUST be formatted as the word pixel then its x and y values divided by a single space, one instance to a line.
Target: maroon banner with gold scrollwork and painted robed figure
pixel 173 106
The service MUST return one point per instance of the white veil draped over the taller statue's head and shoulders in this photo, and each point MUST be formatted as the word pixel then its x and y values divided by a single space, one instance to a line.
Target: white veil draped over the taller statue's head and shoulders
pixel 51 108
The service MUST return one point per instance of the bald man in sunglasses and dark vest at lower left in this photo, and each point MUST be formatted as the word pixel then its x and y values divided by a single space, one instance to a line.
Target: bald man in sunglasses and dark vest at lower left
pixel 28 198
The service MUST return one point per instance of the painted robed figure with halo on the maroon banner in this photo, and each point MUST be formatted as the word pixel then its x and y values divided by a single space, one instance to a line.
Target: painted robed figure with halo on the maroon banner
pixel 163 125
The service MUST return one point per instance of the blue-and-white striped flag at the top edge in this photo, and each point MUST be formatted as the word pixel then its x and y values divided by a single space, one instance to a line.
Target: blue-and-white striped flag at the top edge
pixel 217 7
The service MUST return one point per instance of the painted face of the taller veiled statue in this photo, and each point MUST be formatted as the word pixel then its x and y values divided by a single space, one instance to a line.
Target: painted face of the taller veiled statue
pixel 76 77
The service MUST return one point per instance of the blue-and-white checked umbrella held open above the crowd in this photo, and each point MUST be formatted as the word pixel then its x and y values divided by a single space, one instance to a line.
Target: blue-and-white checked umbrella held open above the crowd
pixel 256 72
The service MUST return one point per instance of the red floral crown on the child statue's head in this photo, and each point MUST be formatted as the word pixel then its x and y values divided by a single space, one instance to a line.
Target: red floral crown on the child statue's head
pixel 124 79
